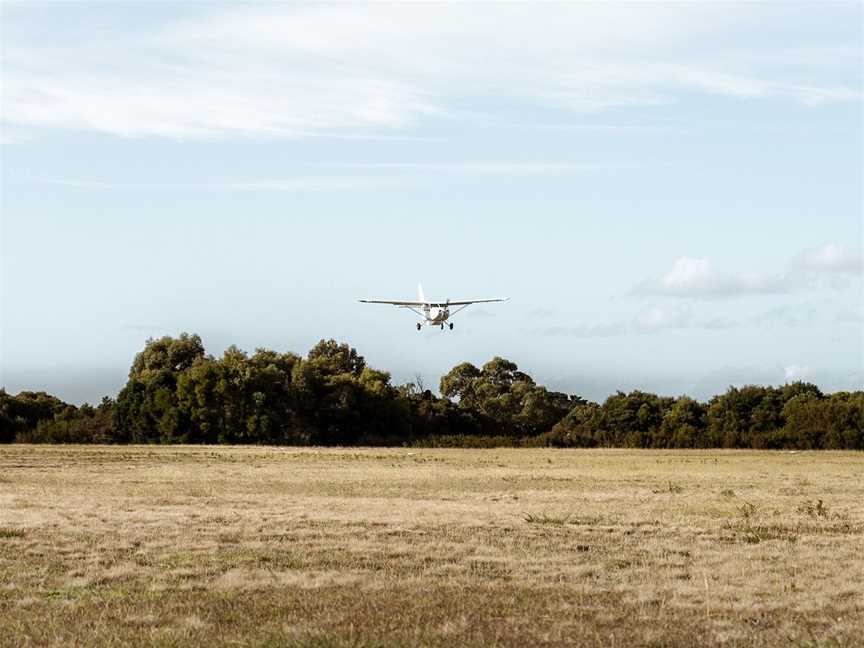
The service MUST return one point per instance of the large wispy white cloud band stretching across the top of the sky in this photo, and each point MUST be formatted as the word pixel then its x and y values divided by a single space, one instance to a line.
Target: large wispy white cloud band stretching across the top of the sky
pixel 298 70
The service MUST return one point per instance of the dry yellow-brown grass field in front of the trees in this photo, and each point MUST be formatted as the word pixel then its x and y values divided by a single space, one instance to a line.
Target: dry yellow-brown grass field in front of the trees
pixel 379 547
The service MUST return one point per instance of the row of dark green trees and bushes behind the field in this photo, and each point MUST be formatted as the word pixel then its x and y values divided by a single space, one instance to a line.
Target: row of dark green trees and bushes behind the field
pixel 177 393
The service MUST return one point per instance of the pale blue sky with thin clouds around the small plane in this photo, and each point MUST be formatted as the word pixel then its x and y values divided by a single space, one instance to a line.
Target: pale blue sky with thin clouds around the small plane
pixel 670 194
